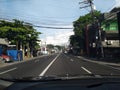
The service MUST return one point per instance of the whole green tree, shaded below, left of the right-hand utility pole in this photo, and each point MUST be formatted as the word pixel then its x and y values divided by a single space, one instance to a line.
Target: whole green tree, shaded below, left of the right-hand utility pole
pixel 78 39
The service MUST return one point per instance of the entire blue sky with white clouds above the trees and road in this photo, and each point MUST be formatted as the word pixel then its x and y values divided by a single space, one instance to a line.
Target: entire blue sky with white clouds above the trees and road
pixel 53 13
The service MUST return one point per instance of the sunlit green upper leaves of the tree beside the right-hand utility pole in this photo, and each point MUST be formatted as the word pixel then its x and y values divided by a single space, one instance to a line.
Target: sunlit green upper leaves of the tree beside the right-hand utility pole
pixel 83 21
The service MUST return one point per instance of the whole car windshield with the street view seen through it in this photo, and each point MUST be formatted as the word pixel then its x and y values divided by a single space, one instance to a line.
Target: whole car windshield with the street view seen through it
pixel 59 38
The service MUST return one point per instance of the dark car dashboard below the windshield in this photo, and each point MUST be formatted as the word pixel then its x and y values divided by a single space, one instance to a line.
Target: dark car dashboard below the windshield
pixel 68 84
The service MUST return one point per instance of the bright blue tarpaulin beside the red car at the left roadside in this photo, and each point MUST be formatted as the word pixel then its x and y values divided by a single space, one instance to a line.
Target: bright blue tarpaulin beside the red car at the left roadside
pixel 15 54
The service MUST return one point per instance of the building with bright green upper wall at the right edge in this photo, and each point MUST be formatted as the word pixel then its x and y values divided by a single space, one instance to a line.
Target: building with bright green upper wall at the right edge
pixel 111 44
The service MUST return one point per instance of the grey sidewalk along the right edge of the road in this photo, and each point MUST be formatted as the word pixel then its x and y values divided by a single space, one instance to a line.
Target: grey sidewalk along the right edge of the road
pixel 105 61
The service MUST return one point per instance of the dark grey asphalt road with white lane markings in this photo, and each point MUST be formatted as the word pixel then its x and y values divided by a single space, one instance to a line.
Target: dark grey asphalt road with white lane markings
pixel 58 64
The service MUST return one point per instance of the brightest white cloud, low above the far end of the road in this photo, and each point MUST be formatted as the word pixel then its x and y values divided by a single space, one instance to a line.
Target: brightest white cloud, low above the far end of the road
pixel 58 38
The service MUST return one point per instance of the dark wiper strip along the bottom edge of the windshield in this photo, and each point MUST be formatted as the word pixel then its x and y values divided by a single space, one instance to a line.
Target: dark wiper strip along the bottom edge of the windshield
pixel 58 77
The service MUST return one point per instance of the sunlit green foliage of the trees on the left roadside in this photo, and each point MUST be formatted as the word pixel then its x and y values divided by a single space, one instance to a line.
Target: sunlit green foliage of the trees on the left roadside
pixel 17 32
